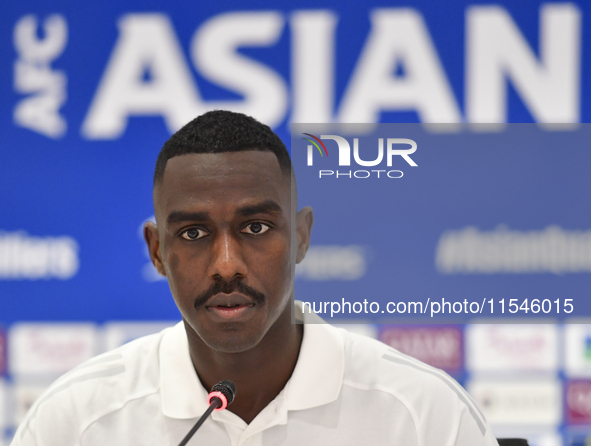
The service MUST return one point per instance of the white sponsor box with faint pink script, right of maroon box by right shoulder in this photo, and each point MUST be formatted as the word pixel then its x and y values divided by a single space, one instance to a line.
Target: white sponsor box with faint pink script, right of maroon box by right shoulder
pixel 509 348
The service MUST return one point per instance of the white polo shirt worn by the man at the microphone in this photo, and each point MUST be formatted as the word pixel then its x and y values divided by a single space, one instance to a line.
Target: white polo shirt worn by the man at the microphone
pixel 345 390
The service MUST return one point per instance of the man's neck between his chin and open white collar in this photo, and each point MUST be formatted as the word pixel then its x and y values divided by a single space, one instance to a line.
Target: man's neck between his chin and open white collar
pixel 259 373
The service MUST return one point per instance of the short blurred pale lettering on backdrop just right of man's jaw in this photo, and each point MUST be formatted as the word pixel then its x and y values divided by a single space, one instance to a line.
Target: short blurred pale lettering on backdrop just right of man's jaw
pixel 333 262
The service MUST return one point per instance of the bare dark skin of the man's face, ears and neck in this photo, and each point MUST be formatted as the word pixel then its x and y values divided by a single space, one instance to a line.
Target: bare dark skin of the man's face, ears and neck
pixel 227 244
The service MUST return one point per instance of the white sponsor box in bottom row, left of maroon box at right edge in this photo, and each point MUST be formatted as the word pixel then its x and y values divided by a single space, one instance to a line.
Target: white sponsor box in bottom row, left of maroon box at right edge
pixel 514 403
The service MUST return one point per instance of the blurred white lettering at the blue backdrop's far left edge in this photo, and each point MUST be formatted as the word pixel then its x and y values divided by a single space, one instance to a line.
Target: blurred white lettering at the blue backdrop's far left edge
pixel 26 257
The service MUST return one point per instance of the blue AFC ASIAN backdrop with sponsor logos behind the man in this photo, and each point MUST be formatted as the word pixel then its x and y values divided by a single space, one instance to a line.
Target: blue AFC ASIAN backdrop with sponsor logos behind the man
pixel 89 92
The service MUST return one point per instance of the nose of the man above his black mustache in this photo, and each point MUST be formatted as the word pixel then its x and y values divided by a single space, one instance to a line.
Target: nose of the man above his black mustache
pixel 227 261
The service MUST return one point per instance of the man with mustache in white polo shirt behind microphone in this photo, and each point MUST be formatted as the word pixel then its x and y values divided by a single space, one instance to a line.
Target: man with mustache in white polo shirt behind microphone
pixel 227 237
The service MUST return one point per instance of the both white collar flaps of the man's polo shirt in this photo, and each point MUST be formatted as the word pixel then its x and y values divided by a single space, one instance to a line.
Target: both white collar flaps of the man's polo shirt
pixel 316 379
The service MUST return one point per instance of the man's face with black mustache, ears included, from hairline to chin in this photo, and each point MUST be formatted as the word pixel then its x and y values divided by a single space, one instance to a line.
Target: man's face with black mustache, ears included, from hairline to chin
pixel 224 240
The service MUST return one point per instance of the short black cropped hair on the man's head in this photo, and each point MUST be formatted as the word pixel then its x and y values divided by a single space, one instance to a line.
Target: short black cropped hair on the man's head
pixel 222 131
